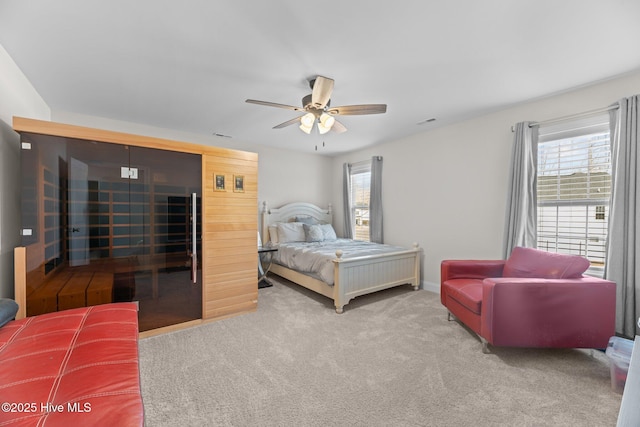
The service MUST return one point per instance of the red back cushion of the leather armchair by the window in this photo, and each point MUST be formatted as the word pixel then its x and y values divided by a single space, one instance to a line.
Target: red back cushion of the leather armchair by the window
pixel 529 262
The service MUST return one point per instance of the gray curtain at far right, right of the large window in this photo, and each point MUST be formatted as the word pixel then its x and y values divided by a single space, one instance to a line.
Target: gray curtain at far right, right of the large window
pixel 622 263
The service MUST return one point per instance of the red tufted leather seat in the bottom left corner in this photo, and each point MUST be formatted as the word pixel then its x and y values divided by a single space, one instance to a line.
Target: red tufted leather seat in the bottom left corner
pixel 70 368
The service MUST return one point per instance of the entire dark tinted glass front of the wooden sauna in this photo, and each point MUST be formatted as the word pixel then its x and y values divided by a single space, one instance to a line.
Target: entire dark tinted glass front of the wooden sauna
pixel 107 223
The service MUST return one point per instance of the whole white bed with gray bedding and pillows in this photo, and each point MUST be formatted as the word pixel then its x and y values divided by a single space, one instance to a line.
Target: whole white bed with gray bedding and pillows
pixel 354 272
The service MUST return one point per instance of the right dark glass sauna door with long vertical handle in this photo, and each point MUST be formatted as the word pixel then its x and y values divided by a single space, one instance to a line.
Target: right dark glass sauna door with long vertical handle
pixel 168 275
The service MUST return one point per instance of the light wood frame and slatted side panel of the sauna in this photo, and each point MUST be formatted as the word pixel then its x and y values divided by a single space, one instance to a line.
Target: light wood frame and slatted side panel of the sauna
pixel 229 221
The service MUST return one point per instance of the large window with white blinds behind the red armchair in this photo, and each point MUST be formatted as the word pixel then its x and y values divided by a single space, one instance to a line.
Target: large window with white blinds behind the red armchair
pixel 574 187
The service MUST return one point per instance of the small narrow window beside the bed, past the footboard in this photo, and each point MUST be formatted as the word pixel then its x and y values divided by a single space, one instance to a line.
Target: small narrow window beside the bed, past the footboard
pixel 360 191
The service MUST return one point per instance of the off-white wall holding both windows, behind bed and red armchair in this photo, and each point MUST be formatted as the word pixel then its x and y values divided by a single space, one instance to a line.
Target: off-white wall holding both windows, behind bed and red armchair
pixel 446 188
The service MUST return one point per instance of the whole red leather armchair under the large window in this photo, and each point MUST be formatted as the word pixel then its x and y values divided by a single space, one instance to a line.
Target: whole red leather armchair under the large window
pixel 533 299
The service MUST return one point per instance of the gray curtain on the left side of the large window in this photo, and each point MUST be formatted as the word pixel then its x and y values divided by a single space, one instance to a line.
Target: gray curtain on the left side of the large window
pixel 522 212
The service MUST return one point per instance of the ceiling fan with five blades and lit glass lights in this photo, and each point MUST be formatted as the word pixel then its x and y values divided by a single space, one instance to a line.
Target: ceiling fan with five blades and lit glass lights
pixel 317 109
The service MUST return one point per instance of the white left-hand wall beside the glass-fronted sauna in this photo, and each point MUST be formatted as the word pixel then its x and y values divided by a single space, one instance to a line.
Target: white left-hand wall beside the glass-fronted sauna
pixel 17 98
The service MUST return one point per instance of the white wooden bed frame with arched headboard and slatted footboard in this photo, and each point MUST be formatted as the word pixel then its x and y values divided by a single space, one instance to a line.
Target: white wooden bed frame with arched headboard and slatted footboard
pixel 352 276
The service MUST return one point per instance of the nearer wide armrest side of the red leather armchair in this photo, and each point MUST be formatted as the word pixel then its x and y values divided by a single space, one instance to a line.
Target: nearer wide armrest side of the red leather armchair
pixel 570 313
